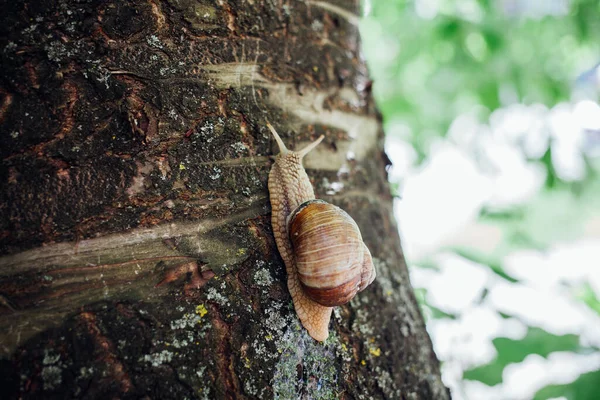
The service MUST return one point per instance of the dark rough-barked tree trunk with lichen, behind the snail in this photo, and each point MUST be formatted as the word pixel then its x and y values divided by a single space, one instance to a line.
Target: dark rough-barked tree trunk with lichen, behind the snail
pixel 136 254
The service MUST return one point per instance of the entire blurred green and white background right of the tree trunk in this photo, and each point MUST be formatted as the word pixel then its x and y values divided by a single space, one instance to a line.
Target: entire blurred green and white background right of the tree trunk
pixel 493 127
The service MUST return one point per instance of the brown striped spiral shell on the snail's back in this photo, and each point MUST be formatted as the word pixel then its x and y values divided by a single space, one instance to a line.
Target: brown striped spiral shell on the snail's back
pixel 332 262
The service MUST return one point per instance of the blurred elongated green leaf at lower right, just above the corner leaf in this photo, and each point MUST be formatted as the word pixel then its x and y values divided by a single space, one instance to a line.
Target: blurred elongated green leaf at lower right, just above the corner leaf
pixel 537 341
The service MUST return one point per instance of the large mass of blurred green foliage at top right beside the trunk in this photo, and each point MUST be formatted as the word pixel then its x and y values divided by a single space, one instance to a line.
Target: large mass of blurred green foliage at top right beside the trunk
pixel 473 53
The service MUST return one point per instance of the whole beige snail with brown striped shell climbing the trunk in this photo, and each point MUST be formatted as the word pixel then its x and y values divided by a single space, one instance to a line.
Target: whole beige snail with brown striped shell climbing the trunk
pixel 326 261
